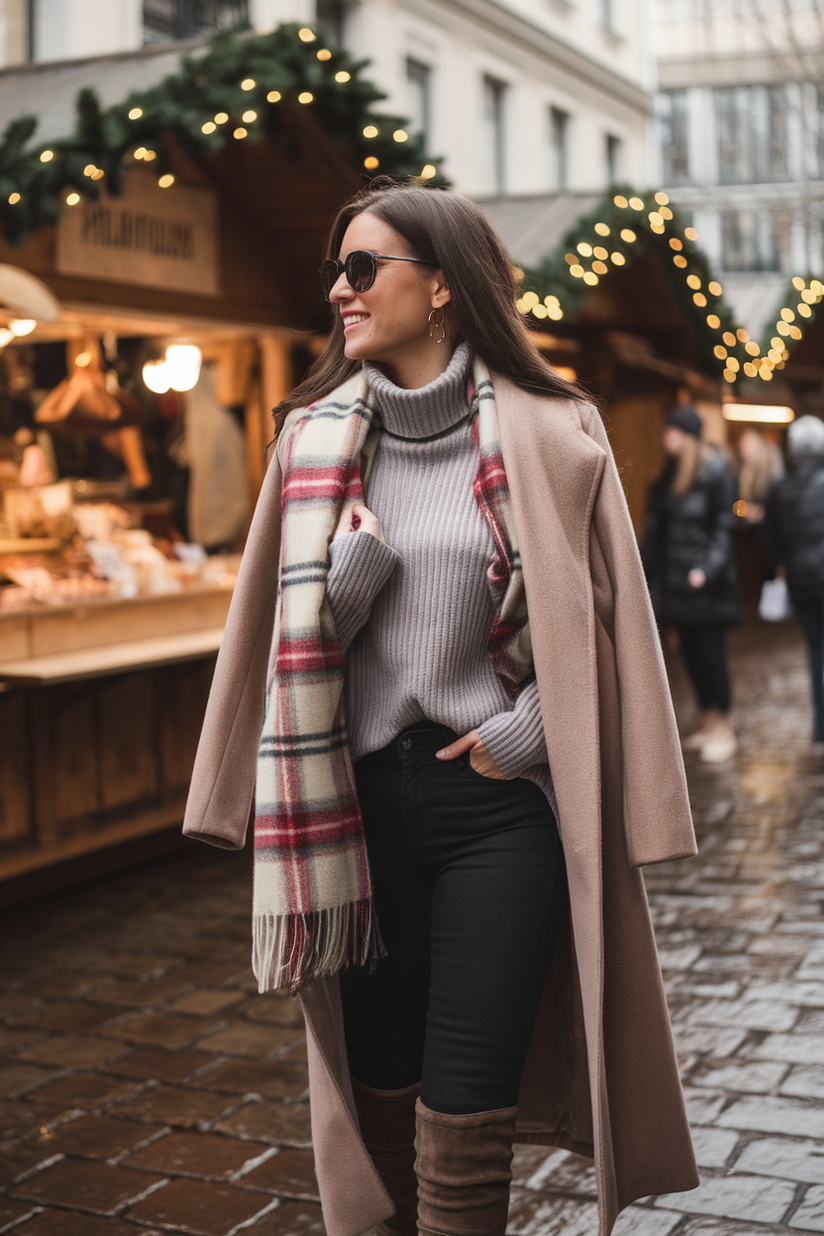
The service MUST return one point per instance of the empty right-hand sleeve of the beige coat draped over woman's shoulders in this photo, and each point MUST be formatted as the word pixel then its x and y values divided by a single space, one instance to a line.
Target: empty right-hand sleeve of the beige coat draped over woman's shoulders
pixel 657 803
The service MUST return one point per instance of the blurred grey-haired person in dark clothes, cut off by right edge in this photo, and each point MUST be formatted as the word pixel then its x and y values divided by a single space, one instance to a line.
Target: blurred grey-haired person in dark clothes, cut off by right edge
pixel 795 542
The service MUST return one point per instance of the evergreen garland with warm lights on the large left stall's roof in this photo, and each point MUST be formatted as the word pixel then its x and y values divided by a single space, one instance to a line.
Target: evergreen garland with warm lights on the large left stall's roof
pixel 284 65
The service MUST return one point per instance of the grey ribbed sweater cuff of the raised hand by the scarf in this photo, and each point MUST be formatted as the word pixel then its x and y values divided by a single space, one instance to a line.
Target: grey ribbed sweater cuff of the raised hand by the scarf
pixel 360 568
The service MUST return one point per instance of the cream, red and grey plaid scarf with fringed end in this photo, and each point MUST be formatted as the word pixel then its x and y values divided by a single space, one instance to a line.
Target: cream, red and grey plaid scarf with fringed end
pixel 313 898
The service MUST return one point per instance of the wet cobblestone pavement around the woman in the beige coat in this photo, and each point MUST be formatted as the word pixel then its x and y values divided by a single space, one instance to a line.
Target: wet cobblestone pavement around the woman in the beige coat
pixel 146 1088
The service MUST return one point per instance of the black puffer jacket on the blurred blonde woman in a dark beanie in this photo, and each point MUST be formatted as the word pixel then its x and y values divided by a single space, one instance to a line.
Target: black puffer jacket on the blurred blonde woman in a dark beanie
pixel 694 531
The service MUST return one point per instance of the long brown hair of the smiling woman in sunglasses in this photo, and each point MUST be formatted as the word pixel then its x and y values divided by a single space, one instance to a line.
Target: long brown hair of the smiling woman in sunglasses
pixel 453 234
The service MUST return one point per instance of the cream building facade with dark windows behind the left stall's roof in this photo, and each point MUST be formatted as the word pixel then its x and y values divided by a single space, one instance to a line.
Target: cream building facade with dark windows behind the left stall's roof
pixel 518 96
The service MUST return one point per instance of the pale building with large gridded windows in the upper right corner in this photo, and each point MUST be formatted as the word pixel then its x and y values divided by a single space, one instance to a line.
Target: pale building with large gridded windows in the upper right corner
pixel 741 118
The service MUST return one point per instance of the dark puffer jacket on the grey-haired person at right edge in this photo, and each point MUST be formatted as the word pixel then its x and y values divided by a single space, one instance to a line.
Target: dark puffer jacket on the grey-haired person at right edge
pixel 794 528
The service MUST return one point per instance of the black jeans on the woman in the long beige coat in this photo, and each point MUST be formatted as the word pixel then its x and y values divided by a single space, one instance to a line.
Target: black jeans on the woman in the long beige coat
pixel 470 889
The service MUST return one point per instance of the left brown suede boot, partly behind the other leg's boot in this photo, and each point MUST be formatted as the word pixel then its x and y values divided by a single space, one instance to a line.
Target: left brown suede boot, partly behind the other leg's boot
pixel 387 1120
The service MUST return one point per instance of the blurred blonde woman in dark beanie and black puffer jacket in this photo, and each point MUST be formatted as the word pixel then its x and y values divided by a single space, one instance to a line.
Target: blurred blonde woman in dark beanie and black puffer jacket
pixel 689 561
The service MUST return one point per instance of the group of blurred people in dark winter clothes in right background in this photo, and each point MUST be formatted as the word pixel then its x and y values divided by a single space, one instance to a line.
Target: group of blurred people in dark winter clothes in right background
pixel 722 526
